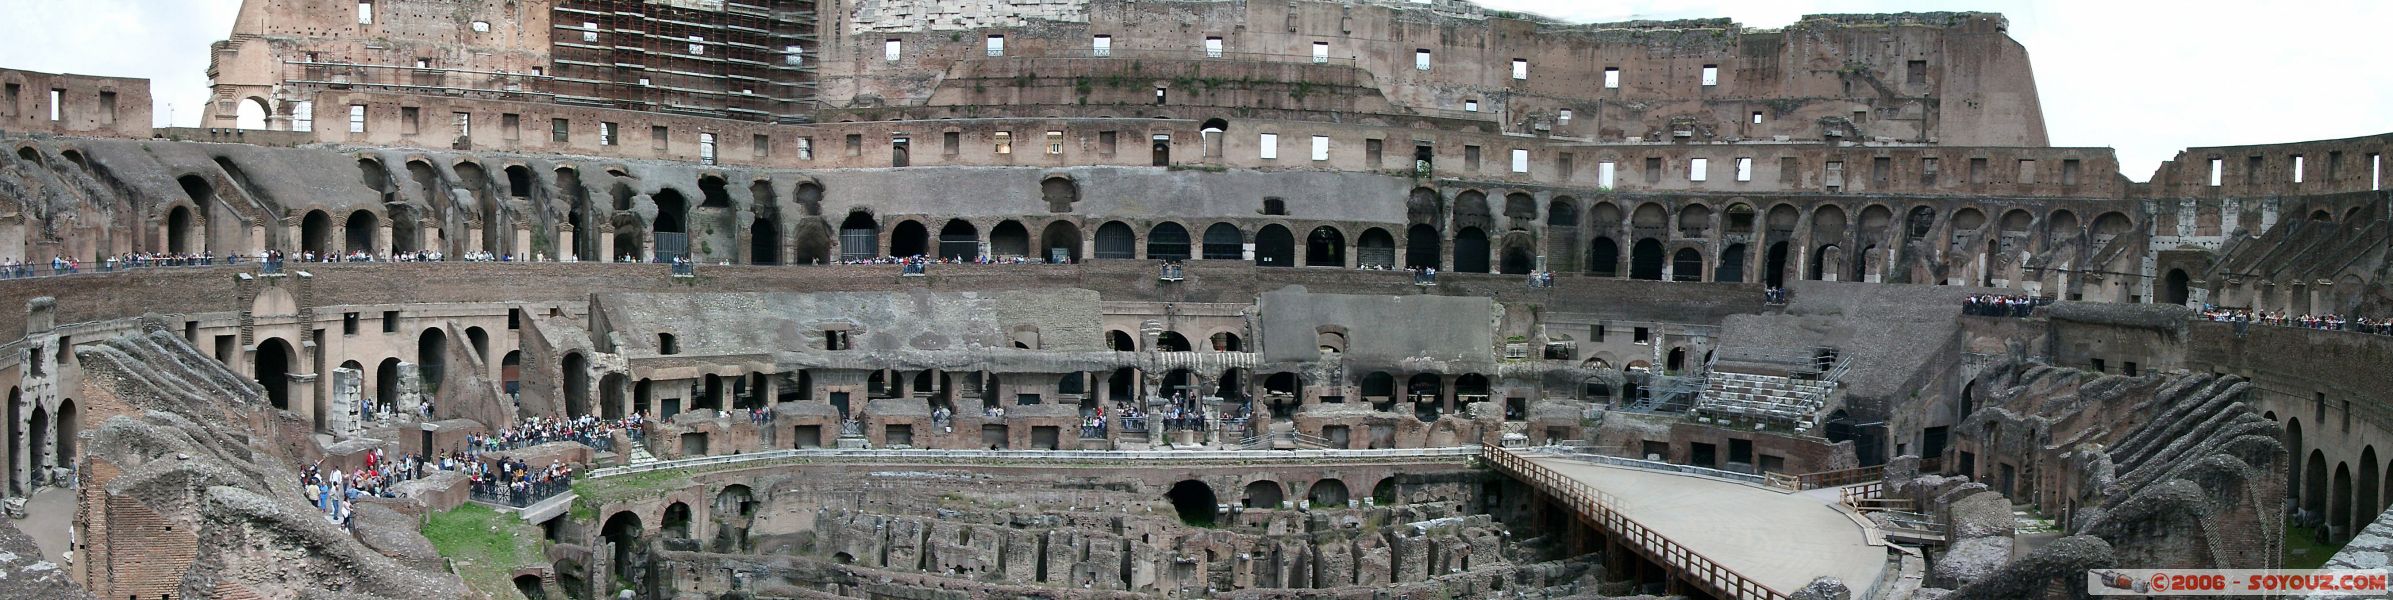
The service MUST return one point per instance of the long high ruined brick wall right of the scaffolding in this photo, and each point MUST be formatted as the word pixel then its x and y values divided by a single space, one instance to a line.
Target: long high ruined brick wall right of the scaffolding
pixel 1949 78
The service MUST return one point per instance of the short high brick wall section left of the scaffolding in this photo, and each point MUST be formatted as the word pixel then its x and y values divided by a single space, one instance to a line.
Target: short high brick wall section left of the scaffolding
pixel 281 51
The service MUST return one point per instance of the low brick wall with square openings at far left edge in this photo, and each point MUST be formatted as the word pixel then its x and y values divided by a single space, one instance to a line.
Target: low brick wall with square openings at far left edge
pixel 75 104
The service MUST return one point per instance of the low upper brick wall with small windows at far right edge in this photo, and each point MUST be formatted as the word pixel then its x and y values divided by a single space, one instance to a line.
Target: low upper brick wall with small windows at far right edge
pixel 2301 169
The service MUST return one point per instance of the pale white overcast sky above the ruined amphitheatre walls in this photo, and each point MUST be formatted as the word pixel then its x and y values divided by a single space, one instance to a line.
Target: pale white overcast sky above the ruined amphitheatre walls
pixel 2141 78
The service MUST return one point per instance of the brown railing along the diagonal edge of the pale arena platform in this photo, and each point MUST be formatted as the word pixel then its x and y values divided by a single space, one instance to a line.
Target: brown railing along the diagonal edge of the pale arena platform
pixel 1602 510
